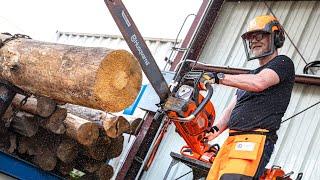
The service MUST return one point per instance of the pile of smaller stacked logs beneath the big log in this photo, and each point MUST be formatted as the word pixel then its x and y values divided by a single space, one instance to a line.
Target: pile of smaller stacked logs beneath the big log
pixel 70 137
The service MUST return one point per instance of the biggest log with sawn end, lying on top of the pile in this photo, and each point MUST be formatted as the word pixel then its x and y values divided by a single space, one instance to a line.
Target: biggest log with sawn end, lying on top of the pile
pixel 95 77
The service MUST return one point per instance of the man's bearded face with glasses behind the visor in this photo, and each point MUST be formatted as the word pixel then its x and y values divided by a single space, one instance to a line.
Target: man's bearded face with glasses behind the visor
pixel 259 43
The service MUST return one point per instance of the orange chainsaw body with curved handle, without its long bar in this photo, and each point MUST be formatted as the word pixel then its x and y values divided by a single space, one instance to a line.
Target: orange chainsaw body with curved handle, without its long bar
pixel 193 115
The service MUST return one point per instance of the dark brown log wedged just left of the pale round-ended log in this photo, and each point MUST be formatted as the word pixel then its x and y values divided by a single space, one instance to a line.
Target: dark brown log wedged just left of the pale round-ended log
pixel 55 123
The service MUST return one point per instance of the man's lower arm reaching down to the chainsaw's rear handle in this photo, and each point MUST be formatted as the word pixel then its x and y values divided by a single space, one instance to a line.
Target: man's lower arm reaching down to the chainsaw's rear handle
pixel 223 120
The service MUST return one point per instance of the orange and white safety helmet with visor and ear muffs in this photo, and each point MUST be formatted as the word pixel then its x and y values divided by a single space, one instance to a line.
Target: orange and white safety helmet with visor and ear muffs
pixel 264 24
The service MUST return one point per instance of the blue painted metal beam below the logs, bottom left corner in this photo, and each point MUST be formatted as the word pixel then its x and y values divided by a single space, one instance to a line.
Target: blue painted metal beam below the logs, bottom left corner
pixel 21 169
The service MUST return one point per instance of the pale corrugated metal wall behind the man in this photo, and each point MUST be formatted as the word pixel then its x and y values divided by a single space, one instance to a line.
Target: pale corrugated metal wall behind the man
pixel 298 147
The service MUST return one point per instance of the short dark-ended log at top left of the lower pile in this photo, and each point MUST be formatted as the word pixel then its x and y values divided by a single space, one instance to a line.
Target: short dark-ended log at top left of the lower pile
pixel 40 106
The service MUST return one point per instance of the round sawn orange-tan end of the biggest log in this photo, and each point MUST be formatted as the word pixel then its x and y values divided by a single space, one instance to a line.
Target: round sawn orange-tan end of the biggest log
pixel 125 79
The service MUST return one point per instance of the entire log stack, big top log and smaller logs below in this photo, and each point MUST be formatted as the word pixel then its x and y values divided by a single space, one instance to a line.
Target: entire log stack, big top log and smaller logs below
pixel 64 124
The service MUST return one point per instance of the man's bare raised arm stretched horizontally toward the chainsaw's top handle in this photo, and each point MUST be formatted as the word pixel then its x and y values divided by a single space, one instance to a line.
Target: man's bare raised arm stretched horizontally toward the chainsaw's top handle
pixel 252 82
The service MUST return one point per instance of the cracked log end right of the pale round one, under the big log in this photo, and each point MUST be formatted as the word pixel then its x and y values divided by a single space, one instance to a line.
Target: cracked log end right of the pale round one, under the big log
pixel 115 126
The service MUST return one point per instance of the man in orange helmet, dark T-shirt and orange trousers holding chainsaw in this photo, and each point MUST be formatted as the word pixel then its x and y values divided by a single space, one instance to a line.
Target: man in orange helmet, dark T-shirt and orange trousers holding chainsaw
pixel 254 114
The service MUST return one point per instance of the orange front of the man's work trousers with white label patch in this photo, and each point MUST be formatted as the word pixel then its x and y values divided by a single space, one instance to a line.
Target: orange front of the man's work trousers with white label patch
pixel 239 156
